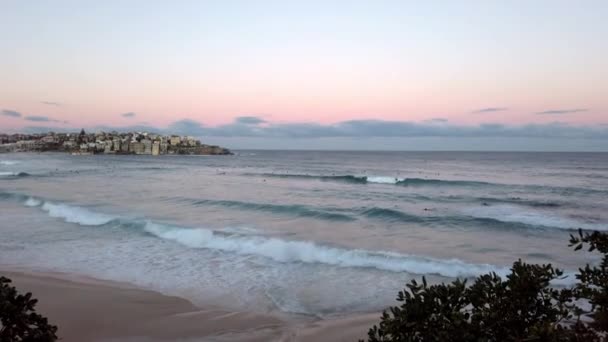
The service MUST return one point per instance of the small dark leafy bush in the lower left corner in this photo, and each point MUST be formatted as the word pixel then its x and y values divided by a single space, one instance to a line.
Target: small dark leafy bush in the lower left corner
pixel 18 318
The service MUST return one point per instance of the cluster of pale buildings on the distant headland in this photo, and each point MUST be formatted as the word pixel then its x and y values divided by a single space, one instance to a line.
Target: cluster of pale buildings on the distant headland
pixel 107 143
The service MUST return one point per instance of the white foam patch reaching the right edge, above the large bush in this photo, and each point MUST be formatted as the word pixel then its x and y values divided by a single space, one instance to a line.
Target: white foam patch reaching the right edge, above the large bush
pixel 510 213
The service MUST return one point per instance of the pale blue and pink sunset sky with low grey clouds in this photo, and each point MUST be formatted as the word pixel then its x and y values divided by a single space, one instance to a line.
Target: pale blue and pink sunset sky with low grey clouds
pixel 411 75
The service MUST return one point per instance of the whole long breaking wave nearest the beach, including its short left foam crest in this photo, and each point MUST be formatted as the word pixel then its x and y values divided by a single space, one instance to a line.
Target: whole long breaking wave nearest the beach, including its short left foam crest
pixel 279 250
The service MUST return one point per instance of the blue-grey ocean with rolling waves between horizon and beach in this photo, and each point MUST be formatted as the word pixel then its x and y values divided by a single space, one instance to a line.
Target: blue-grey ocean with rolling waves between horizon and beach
pixel 309 233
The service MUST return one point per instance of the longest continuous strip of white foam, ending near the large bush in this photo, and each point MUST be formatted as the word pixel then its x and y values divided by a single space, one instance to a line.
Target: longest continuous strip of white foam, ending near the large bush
pixel 310 252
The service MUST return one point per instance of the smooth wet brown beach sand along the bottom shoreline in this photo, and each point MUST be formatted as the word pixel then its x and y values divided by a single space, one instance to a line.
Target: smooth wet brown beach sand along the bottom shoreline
pixel 87 309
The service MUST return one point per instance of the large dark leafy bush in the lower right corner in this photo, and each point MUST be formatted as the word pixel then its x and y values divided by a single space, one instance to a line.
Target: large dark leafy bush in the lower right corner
pixel 522 307
